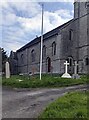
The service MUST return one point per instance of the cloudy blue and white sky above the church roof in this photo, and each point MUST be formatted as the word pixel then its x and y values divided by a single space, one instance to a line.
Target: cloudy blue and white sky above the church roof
pixel 20 22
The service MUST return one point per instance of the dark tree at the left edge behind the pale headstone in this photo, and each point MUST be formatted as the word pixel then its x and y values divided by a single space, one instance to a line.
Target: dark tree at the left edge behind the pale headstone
pixel 3 58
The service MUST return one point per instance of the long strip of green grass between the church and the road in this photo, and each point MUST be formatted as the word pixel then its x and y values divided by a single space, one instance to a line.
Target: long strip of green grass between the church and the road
pixel 47 81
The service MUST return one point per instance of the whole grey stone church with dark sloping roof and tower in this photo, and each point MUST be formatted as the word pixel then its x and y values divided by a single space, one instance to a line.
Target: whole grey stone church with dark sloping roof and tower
pixel 69 41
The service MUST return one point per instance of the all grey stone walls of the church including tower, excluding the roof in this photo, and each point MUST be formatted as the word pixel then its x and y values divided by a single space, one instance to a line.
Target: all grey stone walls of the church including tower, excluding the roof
pixel 75 48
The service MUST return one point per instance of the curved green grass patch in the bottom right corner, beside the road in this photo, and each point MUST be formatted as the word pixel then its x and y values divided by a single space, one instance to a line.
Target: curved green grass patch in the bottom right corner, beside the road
pixel 72 105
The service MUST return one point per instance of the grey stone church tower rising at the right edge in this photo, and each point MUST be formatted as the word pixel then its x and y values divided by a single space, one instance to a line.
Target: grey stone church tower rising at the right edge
pixel 81 14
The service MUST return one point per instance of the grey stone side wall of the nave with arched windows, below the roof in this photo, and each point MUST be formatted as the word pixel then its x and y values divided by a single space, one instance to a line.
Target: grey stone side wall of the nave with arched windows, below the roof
pixel 28 66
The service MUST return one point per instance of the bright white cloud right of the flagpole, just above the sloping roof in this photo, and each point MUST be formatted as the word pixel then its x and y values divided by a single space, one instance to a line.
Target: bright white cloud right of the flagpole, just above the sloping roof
pixel 54 19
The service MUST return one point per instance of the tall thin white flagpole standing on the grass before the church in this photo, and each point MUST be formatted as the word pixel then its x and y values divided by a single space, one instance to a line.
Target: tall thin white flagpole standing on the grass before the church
pixel 41 44
